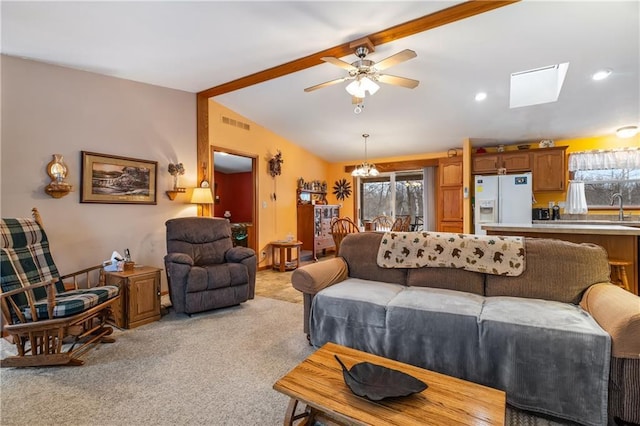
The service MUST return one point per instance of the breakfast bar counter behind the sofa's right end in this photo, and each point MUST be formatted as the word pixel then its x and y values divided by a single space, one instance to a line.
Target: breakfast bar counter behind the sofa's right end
pixel 621 242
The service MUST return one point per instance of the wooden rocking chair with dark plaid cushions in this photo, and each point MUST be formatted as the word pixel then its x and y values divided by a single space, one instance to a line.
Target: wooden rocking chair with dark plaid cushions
pixel 50 322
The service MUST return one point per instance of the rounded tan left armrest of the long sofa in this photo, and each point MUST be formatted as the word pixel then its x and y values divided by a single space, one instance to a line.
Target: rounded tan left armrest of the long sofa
pixel 312 278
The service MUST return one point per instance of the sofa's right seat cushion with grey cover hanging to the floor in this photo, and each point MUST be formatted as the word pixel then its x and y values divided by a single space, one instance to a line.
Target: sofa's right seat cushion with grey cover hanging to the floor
pixel 549 356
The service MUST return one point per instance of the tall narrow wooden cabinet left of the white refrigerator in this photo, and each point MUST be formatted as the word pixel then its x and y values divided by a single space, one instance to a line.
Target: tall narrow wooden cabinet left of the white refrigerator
pixel 450 200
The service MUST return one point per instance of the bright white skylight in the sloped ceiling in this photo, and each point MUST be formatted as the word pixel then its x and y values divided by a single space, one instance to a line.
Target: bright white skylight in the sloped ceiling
pixel 537 86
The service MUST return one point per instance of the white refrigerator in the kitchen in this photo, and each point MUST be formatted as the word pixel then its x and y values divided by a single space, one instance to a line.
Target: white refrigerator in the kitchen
pixel 502 199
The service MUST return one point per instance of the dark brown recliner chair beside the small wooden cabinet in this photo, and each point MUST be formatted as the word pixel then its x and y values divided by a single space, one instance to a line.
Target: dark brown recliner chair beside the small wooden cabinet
pixel 204 270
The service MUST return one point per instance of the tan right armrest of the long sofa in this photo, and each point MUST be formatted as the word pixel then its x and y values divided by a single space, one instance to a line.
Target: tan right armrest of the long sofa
pixel 618 313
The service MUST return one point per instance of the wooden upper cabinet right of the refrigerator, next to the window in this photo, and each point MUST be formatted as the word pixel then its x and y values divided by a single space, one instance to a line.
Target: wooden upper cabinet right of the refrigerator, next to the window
pixel 549 169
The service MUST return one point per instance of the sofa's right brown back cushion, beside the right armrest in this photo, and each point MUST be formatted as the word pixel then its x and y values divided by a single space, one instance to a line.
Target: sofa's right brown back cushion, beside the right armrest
pixel 556 270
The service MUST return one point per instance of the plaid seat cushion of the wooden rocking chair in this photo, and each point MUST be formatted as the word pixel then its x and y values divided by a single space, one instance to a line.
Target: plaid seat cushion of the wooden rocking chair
pixel 74 301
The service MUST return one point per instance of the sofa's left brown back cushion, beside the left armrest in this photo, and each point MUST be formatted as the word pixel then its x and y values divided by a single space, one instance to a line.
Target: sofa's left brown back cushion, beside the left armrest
pixel 360 251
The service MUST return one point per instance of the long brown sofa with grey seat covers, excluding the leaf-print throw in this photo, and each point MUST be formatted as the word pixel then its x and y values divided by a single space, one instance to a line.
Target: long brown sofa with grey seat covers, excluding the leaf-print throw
pixel 548 337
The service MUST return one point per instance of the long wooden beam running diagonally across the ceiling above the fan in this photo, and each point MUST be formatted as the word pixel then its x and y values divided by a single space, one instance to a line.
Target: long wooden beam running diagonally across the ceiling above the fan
pixel 418 25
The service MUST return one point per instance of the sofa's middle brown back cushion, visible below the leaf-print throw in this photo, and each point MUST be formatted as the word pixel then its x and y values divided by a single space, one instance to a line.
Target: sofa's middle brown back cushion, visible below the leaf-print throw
pixel 447 278
